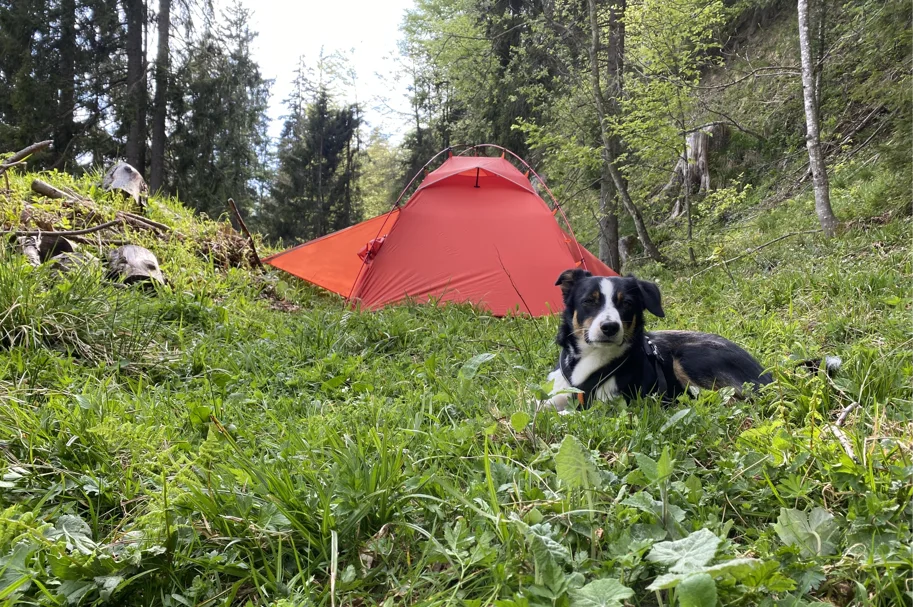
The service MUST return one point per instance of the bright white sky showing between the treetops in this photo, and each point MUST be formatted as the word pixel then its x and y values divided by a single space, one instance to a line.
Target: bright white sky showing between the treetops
pixel 366 30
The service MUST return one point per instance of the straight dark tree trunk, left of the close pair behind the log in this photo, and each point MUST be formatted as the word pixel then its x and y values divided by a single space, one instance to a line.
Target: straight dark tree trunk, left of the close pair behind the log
pixel 136 85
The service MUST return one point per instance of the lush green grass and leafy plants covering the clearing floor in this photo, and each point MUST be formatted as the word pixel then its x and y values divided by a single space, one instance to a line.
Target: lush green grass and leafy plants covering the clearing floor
pixel 204 445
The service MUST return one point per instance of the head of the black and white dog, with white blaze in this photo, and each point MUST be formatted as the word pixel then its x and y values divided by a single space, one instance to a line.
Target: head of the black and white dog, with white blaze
pixel 604 311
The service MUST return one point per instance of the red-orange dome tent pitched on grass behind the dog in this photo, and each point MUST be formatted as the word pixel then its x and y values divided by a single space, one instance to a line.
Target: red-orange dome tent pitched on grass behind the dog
pixel 473 231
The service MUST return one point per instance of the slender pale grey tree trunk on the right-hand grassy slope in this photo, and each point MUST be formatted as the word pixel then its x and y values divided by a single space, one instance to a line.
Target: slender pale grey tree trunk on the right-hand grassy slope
pixel 812 138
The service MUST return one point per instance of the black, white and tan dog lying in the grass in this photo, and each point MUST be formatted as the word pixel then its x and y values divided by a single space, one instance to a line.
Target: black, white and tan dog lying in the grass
pixel 605 351
